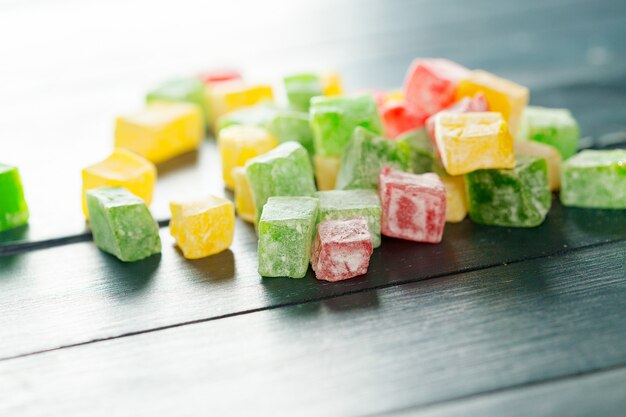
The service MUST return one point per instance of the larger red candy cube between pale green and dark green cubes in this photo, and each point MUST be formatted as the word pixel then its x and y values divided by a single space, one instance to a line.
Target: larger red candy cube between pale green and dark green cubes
pixel 414 206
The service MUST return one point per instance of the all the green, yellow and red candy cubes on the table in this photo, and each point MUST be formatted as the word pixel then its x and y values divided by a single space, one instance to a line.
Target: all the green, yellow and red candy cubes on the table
pixel 324 175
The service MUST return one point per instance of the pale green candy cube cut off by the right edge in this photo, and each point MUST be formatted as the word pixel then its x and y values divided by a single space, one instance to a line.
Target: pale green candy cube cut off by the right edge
pixel 595 179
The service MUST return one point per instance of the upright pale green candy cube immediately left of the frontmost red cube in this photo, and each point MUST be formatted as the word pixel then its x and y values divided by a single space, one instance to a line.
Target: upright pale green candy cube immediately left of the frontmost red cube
pixel 286 230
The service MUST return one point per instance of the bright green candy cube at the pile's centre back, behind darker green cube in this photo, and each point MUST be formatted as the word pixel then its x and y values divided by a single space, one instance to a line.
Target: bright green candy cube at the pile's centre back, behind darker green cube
pixel 333 120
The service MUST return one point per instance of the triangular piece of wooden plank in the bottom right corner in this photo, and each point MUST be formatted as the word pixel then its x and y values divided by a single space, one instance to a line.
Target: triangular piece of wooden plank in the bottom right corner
pixel 596 394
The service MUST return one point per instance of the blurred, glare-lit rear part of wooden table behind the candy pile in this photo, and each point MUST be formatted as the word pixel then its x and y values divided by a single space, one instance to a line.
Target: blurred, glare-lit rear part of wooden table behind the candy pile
pixel 106 72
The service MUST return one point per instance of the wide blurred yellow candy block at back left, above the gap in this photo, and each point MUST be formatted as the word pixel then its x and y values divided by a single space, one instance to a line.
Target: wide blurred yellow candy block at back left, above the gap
pixel 160 131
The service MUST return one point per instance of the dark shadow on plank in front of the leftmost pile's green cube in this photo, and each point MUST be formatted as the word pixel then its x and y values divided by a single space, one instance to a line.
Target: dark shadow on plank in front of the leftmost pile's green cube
pixel 129 279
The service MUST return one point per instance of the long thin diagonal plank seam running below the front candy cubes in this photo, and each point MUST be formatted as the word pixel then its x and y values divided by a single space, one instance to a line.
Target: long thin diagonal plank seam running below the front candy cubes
pixel 319 299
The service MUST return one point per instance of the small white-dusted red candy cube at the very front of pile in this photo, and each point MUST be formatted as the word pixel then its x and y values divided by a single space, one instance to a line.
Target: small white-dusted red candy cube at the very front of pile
pixel 342 249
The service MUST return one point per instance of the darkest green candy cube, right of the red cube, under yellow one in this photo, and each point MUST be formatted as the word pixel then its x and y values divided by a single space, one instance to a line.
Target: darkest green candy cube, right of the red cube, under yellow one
pixel 517 197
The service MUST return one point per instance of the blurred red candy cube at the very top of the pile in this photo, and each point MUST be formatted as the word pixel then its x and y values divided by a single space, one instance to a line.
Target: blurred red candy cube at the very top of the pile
pixel 431 84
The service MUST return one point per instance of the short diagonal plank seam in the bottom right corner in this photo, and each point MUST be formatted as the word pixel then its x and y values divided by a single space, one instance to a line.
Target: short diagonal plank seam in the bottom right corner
pixel 496 391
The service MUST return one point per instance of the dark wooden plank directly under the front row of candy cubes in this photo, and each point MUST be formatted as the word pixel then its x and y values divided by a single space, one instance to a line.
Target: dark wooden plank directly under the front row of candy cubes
pixel 75 293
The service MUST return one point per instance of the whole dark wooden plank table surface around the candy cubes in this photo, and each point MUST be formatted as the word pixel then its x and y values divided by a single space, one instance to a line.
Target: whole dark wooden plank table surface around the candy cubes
pixel 491 322
